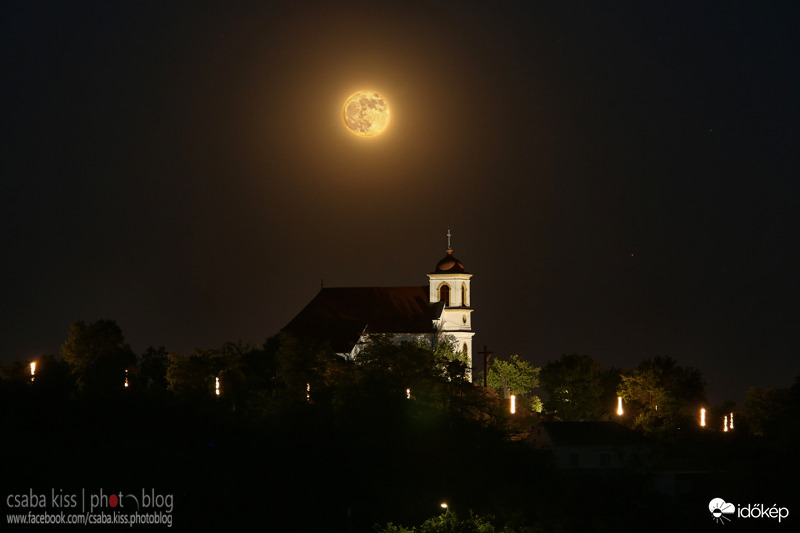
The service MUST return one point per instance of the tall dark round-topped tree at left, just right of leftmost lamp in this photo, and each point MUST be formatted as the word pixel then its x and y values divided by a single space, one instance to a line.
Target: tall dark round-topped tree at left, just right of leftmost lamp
pixel 97 356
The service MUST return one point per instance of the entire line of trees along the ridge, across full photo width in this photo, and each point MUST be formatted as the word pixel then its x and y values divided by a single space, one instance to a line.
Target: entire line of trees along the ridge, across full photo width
pixel 659 396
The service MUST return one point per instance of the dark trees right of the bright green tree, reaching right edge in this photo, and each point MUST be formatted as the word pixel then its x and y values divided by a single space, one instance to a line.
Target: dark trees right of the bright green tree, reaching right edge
pixel 660 398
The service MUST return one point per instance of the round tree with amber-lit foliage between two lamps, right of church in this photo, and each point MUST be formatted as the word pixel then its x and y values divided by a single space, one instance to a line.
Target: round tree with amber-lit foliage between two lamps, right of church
pixel 660 395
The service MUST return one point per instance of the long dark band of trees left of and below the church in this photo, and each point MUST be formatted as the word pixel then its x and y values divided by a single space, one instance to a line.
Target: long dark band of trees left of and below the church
pixel 259 381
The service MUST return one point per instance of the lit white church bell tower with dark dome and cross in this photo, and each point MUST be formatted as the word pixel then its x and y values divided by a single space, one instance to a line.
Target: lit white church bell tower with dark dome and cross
pixel 450 283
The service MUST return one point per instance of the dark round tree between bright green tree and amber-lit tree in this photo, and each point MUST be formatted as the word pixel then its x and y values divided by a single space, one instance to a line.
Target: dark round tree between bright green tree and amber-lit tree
pixel 579 388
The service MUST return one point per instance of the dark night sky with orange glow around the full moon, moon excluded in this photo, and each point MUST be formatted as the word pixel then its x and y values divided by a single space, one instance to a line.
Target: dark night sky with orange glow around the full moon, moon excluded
pixel 620 177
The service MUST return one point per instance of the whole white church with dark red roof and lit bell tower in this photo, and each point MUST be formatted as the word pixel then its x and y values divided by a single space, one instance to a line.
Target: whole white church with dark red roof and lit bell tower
pixel 346 316
